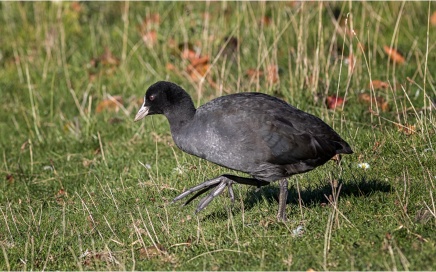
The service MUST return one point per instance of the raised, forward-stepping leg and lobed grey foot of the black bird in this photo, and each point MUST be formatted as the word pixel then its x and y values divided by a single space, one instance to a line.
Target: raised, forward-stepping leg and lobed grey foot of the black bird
pixel 220 183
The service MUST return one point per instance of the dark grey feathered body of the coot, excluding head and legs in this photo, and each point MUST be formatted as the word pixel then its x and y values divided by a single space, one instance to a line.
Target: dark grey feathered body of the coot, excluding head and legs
pixel 260 135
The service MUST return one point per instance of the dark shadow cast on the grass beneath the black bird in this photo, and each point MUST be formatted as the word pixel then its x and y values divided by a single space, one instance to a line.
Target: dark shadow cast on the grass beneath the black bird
pixel 310 197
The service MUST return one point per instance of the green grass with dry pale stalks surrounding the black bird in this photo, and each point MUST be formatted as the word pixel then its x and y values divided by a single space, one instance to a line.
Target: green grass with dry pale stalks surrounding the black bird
pixel 88 190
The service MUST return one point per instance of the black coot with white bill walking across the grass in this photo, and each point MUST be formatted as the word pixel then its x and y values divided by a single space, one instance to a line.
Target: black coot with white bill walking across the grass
pixel 250 132
